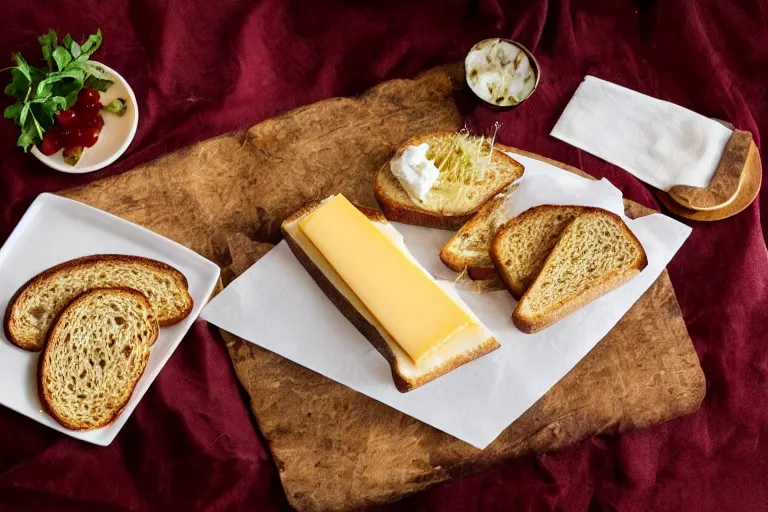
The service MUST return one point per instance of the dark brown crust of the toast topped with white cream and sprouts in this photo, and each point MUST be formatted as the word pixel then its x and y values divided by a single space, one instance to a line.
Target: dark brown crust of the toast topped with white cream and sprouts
pixel 411 213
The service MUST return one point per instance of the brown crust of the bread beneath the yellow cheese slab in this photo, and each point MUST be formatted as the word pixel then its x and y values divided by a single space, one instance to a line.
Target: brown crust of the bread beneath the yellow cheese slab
pixel 367 329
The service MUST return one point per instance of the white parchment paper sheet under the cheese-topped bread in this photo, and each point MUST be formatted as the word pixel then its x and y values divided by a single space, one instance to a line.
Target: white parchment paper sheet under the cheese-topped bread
pixel 277 305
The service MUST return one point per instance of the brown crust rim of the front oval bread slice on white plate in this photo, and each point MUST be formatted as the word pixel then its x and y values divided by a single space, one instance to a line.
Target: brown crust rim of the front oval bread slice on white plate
pixel 42 367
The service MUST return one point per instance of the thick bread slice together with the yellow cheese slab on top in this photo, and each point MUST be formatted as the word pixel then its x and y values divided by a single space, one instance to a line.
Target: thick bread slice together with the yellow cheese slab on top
pixel 362 264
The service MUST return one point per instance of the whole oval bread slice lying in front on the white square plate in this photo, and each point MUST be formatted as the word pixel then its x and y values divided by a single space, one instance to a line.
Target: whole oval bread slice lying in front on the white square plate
pixel 96 352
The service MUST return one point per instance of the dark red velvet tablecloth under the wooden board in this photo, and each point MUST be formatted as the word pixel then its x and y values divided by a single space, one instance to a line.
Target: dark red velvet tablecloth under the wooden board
pixel 202 68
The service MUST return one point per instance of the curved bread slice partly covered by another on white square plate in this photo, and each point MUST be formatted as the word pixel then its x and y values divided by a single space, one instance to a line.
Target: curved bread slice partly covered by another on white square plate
pixel 36 304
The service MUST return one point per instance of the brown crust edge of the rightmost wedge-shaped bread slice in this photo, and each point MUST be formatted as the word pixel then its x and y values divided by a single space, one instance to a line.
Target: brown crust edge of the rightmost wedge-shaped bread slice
pixel 539 322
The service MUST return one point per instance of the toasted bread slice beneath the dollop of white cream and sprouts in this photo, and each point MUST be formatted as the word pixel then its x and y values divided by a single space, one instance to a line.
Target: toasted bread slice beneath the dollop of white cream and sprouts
pixel 449 204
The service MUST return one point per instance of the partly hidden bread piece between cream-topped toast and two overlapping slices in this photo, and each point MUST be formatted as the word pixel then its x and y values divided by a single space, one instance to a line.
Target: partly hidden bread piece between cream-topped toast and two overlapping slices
pixel 469 249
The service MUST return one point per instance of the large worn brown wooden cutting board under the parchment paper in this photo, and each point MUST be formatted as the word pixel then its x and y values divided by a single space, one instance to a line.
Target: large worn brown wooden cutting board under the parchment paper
pixel 336 448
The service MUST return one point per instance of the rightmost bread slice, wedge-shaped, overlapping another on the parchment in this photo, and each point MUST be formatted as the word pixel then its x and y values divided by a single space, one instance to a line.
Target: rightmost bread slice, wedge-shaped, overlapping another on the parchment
pixel 595 254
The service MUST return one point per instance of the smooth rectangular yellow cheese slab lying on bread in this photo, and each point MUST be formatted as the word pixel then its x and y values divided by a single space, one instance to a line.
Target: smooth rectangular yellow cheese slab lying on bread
pixel 409 304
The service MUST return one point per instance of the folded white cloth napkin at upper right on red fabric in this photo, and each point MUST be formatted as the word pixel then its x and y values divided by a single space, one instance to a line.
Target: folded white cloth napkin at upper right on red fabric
pixel 660 143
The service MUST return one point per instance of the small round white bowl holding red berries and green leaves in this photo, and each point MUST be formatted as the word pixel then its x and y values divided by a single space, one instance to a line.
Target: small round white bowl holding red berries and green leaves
pixel 115 137
